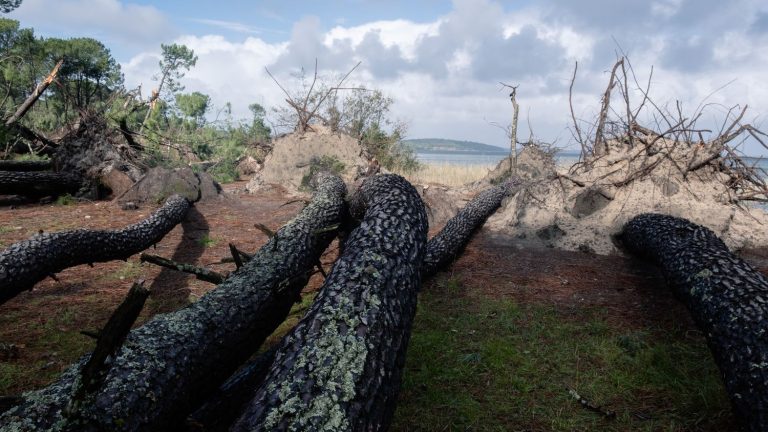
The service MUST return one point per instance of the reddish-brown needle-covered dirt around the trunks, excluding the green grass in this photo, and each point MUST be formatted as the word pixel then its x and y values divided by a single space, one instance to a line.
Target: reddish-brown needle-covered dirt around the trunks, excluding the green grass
pixel 39 330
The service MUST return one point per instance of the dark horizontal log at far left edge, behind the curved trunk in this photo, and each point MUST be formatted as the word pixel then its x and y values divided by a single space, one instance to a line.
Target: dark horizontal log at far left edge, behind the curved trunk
pixel 38 183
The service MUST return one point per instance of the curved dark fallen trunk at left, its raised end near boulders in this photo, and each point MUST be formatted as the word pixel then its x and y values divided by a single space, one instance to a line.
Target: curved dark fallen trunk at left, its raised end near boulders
pixel 25 263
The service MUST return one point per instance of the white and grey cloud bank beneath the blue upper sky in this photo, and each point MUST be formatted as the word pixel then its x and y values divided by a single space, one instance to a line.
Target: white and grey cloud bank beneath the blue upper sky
pixel 444 74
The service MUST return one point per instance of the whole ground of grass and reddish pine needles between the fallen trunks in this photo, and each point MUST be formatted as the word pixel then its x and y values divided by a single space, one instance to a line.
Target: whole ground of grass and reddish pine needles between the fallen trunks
pixel 498 340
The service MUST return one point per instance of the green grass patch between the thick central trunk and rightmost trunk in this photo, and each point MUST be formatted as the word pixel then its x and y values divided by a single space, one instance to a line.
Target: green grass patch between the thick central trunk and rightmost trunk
pixel 478 363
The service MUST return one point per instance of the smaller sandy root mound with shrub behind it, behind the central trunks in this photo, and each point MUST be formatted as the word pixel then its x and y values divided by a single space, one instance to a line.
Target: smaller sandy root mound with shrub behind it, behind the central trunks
pixel 293 154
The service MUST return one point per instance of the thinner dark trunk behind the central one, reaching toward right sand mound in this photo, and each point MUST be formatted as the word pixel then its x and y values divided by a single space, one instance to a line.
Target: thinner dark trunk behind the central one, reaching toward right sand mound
pixel 451 240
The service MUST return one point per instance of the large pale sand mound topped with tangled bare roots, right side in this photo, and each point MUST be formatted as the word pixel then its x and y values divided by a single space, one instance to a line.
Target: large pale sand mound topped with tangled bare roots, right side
pixel 581 208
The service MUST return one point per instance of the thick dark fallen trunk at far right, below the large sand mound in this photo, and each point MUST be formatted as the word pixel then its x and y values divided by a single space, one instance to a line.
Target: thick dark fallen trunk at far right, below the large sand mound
pixel 727 297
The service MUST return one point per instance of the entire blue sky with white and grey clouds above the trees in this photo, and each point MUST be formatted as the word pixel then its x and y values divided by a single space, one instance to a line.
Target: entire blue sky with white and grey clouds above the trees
pixel 442 61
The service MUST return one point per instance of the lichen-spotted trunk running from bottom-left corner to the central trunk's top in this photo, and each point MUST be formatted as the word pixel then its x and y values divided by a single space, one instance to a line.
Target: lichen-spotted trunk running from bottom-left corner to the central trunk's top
pixel 167 367
